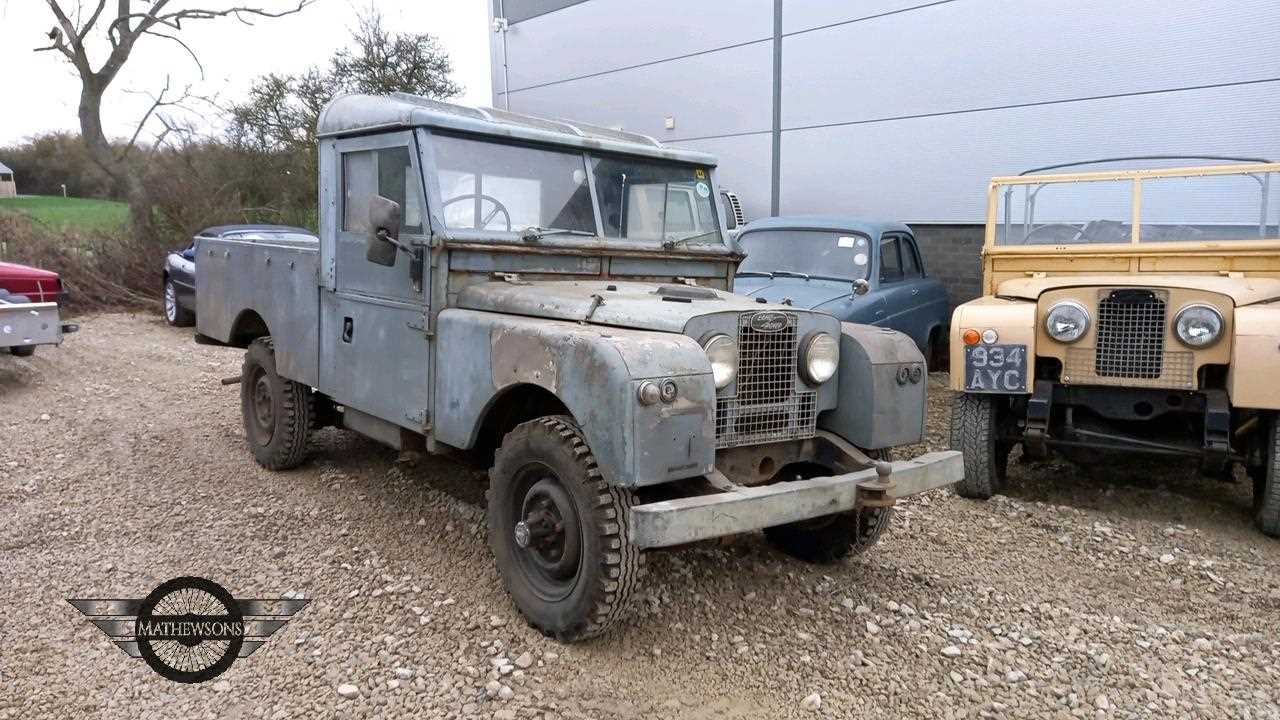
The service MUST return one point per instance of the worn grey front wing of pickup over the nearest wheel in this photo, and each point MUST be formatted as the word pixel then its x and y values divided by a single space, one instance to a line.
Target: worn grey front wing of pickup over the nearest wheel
pixel 596 373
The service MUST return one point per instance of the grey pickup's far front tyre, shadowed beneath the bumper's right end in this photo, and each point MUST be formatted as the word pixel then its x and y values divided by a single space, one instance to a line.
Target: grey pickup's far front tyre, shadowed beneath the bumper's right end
pixel 830 540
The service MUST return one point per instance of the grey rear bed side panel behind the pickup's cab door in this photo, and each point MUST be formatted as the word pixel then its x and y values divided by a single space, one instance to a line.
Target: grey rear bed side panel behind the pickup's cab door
pixel 277 282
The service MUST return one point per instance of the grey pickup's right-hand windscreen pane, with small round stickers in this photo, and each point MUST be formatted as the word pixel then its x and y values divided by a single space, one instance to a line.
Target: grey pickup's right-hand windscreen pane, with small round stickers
pixel 650 200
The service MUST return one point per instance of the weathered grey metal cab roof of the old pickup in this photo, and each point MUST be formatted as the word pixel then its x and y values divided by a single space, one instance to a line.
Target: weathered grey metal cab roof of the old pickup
pixel 364 115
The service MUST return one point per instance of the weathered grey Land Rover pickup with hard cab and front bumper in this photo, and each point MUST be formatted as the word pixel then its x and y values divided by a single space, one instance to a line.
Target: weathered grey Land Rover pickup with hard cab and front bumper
pixel 559 298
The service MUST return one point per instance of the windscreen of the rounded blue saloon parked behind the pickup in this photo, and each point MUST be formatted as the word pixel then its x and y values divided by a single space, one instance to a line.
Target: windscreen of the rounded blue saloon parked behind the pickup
pixel 826 254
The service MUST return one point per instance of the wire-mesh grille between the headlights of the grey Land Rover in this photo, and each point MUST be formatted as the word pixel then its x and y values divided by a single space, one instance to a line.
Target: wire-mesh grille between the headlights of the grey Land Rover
pixel 766 405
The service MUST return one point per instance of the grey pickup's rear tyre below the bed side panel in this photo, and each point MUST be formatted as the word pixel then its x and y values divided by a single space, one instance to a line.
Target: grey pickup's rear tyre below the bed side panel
pixel 278 435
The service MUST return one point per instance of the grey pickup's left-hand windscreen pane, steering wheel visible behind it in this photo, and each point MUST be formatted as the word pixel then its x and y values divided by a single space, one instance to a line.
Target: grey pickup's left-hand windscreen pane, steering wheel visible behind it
pixel 504 188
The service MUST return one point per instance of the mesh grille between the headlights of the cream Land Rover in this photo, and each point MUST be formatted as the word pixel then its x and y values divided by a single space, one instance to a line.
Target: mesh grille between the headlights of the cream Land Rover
pixel 1130 348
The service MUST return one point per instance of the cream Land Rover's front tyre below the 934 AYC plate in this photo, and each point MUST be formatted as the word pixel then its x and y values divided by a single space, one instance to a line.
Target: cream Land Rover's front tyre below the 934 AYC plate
pixel 976 432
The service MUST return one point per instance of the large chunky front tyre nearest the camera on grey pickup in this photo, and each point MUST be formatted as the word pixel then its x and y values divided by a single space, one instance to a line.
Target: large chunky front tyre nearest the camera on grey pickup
pixel 551 453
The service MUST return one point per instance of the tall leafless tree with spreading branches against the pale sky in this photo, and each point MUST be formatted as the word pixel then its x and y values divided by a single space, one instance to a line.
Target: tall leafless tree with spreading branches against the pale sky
pixel 125 26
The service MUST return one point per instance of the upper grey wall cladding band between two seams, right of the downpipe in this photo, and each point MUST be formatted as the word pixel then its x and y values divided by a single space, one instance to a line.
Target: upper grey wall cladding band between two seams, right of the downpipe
pixel 908 65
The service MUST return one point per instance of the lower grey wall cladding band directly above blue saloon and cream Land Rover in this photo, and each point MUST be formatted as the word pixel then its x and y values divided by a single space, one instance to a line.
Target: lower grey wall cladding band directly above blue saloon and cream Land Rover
pixel 938 170
